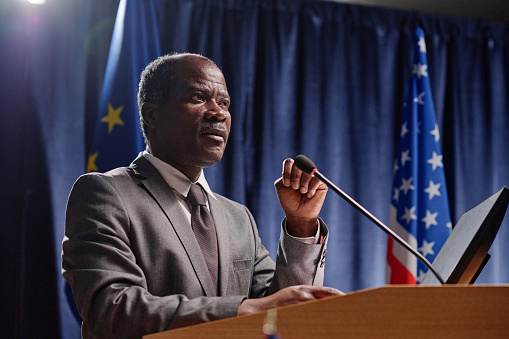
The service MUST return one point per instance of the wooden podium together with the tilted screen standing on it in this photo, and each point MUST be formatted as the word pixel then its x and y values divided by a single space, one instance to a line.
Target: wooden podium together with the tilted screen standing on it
pixel 457 309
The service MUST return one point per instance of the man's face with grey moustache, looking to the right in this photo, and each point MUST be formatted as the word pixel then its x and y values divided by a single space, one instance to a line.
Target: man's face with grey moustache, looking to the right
pixel 194 124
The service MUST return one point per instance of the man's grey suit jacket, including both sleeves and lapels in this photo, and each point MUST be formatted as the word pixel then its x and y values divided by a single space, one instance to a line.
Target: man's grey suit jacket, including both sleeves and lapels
pixel 135 266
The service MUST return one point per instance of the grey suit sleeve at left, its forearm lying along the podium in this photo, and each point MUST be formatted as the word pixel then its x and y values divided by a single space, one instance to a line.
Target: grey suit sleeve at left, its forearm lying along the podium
pixel 108 286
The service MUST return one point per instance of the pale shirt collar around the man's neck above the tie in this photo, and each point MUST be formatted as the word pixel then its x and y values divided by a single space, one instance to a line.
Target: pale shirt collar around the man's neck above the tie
pixel 176 179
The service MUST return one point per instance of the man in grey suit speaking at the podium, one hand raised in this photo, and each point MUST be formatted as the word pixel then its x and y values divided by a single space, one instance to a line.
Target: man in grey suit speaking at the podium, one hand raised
pixel 131 252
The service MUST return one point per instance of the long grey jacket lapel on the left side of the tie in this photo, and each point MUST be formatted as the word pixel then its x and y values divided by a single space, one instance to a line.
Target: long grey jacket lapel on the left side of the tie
pixel 155 184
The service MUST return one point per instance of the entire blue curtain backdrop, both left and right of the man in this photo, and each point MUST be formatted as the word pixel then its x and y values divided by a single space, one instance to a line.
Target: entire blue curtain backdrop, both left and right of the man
pixel 324 79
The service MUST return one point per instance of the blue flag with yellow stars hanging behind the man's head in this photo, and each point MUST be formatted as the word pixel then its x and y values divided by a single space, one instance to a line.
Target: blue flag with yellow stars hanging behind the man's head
pixel 135 42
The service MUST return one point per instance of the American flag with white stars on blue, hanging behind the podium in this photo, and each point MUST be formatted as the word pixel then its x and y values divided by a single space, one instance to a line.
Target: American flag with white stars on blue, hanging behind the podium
pixel 419 210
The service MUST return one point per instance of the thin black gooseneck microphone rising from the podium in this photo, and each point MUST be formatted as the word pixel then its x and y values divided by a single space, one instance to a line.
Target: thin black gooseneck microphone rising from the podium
pixel 307 166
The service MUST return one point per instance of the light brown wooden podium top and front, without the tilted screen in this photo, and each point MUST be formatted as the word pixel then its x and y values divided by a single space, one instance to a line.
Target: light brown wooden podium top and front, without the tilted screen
pixel 452 311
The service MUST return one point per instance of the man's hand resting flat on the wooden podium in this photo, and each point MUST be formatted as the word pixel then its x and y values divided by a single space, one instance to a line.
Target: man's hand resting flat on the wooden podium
pixel 287 296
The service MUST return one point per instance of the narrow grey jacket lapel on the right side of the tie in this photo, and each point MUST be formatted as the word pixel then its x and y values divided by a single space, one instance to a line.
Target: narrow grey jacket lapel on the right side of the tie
pixel 222 224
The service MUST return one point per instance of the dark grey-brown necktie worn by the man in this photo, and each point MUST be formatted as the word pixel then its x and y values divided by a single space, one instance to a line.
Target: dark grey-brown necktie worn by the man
pixel 204 229
